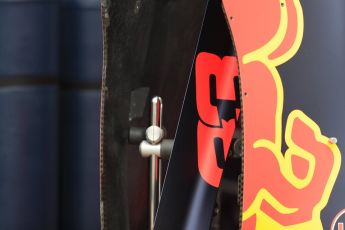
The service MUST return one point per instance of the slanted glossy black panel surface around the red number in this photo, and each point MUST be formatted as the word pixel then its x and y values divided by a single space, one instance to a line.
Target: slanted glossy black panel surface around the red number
pixel 187 201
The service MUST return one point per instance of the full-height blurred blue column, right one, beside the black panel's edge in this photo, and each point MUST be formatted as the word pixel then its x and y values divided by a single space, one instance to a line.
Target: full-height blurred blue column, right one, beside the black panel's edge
pixel 81 59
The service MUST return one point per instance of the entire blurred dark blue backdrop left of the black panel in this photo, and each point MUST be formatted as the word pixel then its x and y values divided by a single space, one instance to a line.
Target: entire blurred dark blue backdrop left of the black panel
pixel 50 73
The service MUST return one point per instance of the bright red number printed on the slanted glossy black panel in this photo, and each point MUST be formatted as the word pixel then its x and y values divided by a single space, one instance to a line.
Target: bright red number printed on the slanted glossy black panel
pixel 215 128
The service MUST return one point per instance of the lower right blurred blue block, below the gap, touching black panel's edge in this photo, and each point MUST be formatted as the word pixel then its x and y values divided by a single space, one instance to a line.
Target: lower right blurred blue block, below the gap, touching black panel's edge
pixel 80 160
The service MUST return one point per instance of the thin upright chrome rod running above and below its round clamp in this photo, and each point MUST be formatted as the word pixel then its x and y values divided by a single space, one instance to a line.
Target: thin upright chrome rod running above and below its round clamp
pixel 155 168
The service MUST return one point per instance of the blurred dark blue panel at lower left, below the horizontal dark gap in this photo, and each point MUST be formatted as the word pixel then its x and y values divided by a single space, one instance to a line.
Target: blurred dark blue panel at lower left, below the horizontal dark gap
pixel 28 157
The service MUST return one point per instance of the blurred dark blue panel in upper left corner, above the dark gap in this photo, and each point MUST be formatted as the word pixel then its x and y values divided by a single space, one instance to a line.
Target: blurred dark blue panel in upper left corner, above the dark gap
pixel 29 36
